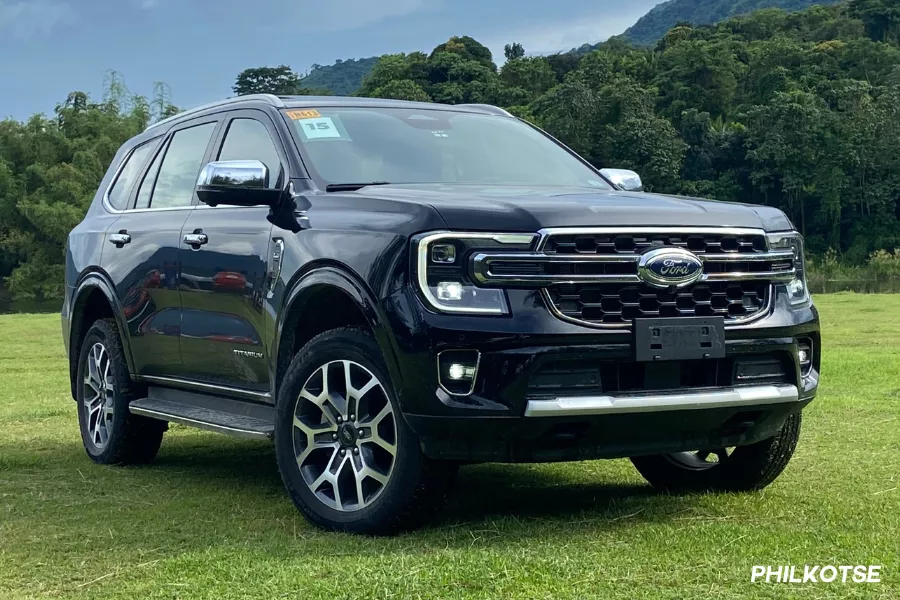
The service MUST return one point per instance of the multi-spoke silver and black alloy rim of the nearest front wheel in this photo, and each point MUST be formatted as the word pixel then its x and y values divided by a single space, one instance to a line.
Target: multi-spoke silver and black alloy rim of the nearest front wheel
pixel 344 435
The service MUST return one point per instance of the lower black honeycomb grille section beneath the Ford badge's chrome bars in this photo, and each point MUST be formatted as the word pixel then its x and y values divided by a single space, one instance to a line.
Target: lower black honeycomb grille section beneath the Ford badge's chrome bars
pixel 617 304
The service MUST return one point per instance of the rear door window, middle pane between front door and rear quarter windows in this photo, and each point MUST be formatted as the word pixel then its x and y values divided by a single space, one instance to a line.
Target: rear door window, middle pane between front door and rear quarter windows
pixel 180 167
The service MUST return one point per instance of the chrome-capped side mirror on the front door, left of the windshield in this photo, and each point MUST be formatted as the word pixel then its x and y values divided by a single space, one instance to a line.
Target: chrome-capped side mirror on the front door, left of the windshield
pixel 236 183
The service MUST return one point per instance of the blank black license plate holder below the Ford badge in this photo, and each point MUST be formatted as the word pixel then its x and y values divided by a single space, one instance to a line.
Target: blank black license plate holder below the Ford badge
pixel 680 338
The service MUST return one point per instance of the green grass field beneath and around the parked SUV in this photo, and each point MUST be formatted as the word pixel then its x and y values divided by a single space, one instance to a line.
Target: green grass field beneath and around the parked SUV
pixel 210 519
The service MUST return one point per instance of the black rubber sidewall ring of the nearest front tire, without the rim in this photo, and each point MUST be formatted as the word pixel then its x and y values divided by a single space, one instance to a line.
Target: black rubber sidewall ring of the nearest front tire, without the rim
pixel 344 344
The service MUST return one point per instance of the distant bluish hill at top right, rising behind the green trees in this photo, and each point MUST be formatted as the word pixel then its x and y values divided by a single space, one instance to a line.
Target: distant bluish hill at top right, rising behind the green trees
pixel 653 26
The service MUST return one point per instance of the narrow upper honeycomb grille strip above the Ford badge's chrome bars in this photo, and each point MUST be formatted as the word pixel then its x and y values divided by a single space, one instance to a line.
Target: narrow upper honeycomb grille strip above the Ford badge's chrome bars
pixel 628 243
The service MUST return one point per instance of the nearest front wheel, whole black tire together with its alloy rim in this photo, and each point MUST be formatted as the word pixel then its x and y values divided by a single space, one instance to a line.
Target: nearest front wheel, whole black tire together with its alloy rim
pixel 364 490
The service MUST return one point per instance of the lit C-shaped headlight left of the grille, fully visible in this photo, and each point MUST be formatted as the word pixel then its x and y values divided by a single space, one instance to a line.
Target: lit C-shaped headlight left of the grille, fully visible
pixel 442 271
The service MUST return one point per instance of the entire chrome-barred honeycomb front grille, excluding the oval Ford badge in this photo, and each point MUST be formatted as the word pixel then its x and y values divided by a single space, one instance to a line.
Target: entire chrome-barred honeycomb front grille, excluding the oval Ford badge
pixel 592 276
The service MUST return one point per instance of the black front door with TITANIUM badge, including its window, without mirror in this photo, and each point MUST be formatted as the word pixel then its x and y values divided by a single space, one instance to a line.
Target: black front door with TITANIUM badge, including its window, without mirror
pixel 223 279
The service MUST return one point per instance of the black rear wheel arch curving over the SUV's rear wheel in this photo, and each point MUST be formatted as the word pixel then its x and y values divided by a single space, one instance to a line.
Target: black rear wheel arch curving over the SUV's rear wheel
pixel 94 298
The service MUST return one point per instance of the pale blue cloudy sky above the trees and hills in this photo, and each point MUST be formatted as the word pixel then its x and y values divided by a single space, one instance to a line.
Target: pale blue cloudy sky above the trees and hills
pixel 49 48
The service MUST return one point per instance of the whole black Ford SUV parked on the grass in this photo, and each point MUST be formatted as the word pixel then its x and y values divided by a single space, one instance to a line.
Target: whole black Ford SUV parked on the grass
pixel 391 289
